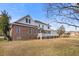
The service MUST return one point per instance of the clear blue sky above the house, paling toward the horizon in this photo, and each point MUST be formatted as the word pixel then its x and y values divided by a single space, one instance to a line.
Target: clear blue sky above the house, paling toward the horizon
pixel 35 10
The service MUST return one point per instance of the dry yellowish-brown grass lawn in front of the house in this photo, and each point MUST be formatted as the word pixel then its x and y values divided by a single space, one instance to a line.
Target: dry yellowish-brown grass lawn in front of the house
pixel 51 47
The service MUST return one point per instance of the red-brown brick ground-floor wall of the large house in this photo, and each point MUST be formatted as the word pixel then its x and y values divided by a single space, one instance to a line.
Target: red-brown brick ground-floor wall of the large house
pixel 24 32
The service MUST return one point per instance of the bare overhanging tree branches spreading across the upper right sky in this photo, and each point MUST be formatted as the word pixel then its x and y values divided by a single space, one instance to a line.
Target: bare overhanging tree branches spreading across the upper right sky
pixel 63 13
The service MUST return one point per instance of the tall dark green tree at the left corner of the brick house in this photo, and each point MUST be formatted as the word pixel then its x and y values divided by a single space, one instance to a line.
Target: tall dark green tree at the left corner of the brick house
pixel 4 24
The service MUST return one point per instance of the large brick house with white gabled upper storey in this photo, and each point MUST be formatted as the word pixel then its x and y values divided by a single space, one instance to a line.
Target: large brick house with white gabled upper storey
pixel 27 28
